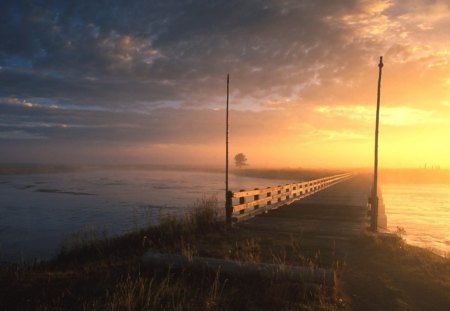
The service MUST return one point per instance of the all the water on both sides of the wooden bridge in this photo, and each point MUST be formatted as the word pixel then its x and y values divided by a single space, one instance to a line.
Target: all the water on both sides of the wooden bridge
pixel 39 212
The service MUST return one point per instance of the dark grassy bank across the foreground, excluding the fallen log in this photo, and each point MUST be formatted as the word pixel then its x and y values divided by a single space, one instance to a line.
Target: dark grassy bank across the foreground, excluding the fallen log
pixel 97 272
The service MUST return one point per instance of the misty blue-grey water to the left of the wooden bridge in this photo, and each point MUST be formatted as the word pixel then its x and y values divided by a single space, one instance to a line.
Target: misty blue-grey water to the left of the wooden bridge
pixel 38 212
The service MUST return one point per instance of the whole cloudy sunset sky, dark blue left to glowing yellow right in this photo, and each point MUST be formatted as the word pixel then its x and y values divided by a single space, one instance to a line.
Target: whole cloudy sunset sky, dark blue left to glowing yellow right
pixel 142 82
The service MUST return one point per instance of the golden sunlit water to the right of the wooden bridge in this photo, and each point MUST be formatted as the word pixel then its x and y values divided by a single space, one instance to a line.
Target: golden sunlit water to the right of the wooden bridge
pixel 423 211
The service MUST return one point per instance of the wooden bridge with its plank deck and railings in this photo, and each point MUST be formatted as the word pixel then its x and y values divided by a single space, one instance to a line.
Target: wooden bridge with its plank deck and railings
pixel 333 207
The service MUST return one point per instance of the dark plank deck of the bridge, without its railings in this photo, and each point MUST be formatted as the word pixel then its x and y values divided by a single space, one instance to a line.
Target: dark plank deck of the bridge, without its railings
pixel 338 211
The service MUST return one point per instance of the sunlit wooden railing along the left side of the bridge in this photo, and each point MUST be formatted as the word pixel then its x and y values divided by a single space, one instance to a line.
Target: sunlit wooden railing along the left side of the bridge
pixel 248 203
